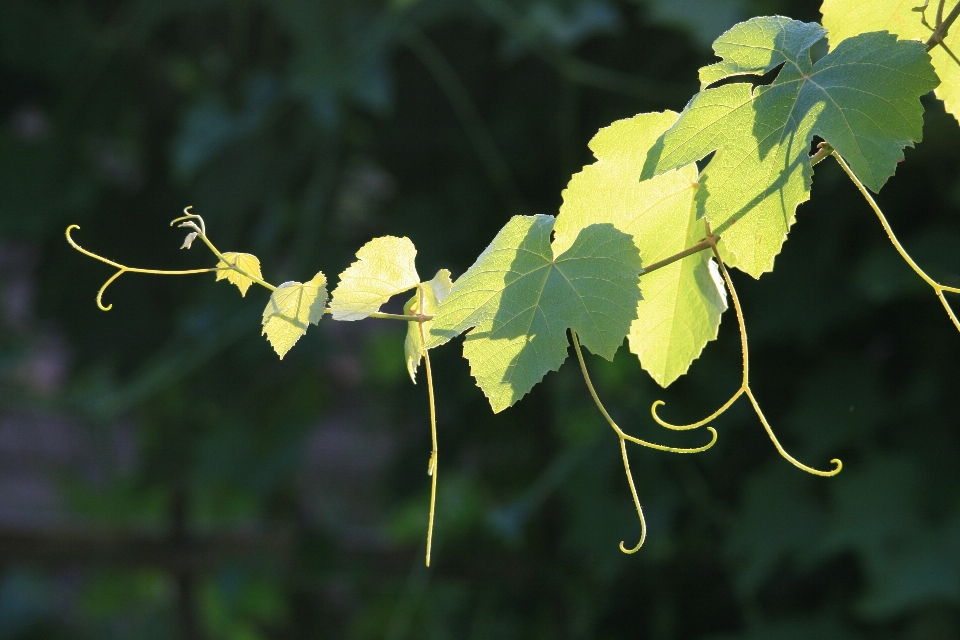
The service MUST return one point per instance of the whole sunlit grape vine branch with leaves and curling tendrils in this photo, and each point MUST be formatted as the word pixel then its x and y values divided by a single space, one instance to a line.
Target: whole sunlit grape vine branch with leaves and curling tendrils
pixel 579 278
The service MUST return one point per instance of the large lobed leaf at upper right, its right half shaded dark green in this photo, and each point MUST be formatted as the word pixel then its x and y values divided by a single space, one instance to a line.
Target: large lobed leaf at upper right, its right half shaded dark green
pixel 862 98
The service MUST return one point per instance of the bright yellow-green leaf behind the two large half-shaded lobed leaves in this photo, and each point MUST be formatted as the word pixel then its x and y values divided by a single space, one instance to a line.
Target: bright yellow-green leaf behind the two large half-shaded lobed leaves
pixel 682 302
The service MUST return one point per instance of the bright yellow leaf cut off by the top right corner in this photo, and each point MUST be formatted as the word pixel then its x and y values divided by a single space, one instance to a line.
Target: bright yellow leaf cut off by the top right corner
pixel 846 18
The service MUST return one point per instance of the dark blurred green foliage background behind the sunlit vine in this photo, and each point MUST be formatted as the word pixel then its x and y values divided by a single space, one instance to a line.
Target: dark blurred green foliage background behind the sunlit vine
pixel 163 475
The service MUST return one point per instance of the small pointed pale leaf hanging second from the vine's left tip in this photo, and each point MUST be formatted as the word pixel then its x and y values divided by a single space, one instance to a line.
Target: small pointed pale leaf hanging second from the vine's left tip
pixel 291 309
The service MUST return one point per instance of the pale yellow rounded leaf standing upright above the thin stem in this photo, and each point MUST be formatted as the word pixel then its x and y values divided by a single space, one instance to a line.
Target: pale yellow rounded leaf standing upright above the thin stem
pixel 384 269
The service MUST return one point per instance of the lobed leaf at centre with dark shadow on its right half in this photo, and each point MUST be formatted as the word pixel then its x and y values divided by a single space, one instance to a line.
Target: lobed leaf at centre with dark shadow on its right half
pixel 521 298
